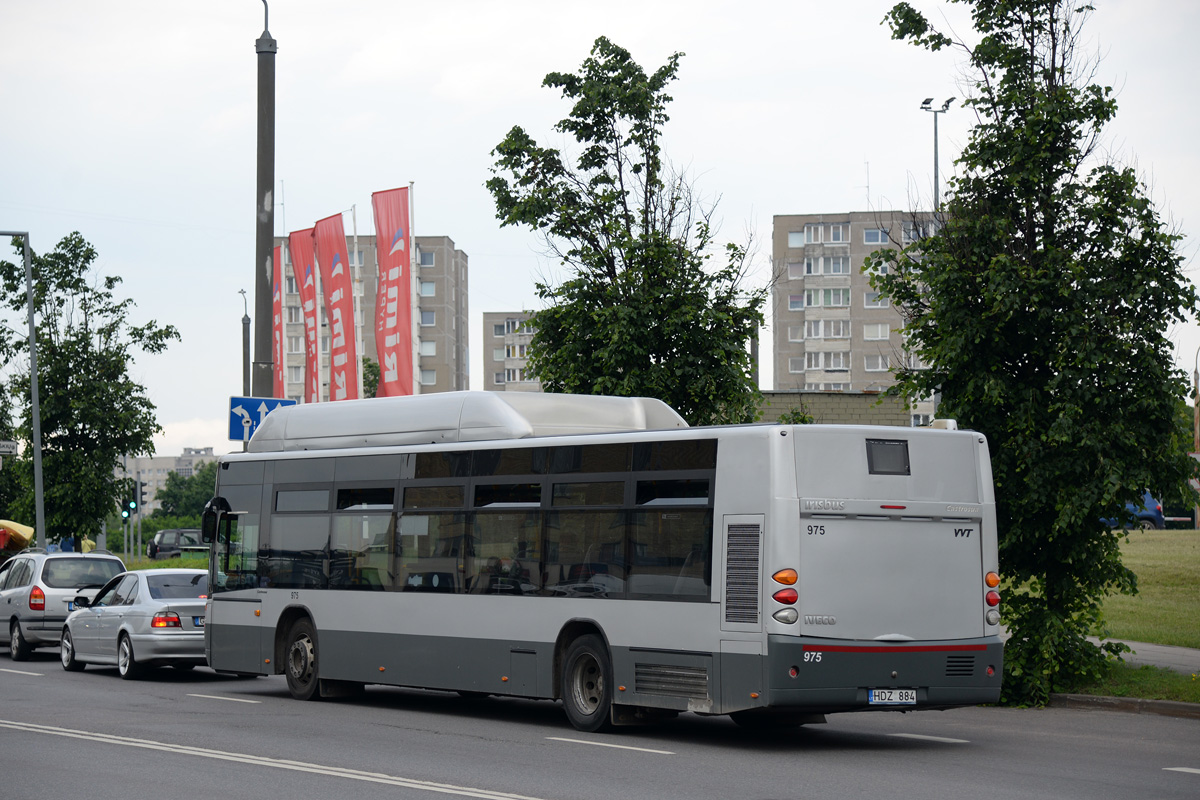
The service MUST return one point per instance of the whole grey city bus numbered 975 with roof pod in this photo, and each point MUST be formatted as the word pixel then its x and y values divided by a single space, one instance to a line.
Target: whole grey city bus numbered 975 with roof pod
pixel 599 552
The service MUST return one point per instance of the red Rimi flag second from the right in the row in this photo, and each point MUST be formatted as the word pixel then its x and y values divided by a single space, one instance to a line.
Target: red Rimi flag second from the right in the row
pixel 338 287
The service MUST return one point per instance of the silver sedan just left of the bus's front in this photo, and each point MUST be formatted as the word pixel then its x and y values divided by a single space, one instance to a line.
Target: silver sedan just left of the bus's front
pixel 140 619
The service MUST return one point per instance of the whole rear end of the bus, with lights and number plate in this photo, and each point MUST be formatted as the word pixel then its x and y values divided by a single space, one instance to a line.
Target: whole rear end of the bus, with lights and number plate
pixel 881 590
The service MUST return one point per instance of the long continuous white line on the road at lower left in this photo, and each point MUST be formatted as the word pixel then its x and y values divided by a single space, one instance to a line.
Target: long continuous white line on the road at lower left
pixel 262 761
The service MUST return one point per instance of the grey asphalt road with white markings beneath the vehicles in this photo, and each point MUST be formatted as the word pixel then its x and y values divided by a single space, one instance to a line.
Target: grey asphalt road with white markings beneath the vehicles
pixel 197 735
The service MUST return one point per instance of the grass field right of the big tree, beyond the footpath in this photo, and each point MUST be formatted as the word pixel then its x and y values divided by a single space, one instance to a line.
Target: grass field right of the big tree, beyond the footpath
pixel 1167 606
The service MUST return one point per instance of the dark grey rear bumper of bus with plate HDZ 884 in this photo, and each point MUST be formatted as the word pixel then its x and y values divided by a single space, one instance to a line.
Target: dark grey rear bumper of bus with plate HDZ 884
pixel 829 676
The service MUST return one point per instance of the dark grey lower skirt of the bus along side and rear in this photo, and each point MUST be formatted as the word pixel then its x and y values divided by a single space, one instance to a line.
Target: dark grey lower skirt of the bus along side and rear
pixel 836 677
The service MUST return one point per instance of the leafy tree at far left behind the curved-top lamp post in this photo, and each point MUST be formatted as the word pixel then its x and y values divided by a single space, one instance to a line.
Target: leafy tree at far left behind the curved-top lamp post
pixel 92 412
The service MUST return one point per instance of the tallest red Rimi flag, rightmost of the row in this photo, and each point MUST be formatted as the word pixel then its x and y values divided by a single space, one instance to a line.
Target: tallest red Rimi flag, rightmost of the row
pixel 394 305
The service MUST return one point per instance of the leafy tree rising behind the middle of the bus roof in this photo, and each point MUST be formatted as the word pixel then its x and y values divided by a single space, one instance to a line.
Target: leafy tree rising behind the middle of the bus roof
pixel 644 312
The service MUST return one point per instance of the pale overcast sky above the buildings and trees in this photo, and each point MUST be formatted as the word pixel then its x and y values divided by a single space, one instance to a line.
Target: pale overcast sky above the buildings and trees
pixel 134 123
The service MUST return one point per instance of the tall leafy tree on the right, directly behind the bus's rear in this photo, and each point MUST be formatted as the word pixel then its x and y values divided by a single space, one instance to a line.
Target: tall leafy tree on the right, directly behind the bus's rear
pixel 1041 306
